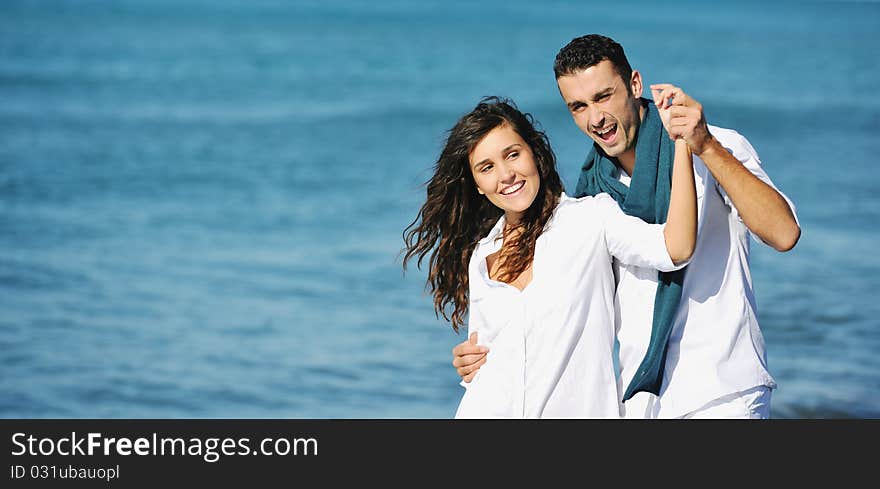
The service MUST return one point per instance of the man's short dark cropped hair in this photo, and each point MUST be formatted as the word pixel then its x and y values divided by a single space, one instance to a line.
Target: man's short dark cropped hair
pixel 590 50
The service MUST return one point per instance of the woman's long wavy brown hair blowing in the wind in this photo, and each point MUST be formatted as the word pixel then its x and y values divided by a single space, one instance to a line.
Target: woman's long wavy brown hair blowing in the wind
pixel 455 216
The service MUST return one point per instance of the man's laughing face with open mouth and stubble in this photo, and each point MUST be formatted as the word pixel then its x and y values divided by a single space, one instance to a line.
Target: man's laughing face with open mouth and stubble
pixel 603 107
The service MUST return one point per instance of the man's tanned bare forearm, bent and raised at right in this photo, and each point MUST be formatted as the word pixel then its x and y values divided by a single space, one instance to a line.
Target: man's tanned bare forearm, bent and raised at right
pixel 763 210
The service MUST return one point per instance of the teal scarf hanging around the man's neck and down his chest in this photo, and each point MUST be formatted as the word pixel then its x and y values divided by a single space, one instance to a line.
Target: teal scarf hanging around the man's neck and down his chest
pixel 647 197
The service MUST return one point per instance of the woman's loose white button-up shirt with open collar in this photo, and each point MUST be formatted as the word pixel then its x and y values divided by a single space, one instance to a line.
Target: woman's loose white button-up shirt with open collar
pixel 551 345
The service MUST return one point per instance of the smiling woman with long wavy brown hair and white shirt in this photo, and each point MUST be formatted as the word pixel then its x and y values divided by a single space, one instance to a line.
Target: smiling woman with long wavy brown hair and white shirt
pixel 532 266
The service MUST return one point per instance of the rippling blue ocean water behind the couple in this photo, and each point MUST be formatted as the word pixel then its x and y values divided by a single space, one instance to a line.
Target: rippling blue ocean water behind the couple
pixel 201 202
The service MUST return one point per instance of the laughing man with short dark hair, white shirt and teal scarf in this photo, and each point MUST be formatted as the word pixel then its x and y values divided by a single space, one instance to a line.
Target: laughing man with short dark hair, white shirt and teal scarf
pixel 690 345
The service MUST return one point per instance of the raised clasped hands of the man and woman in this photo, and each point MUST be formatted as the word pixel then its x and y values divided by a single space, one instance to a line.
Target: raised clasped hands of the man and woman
pixel 682 116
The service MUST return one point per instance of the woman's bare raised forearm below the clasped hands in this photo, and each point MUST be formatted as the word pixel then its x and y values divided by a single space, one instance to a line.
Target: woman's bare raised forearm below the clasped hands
pixel 681 218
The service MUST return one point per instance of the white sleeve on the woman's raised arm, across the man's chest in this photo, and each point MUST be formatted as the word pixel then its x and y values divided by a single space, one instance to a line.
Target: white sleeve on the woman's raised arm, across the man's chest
pixel 633 241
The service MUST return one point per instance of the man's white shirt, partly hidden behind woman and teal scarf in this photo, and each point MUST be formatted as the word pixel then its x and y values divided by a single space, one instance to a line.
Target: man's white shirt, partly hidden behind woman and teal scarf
pixel 716 347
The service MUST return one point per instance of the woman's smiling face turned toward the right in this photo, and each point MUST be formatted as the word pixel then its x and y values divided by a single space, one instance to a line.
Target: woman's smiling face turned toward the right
pixel 504 170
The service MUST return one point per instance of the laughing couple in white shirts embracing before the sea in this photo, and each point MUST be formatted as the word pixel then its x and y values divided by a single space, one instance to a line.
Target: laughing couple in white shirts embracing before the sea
pixel 533 268
